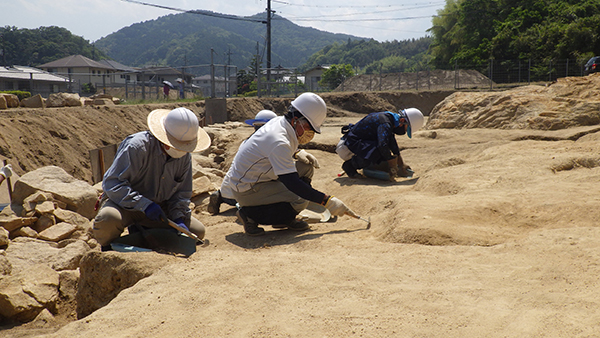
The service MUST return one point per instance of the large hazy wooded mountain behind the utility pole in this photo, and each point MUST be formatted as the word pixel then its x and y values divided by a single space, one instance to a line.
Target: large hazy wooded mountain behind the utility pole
pixel 187 39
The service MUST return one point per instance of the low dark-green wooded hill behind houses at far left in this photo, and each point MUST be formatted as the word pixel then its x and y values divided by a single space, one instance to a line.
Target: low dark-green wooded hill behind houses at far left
pixel 32 47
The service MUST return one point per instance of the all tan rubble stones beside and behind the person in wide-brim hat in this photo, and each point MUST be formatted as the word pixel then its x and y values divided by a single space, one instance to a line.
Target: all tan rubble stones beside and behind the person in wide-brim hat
pixel 46 239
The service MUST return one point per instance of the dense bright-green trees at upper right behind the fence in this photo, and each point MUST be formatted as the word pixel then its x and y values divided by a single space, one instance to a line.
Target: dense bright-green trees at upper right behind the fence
pixel 474 31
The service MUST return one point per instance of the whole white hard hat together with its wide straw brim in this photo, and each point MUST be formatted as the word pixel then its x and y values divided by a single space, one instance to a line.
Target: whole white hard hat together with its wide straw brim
pixel 179 129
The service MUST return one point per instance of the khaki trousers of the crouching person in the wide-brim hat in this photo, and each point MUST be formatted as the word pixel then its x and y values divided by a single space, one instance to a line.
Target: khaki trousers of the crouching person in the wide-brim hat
pixel 111 221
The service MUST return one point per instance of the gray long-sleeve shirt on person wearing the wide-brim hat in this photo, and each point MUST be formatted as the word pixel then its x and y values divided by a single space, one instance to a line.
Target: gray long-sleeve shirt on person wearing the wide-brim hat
pixel 142 173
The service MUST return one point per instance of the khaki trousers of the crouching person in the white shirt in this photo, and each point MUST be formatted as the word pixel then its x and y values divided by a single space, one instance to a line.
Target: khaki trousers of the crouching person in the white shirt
pixel 274 191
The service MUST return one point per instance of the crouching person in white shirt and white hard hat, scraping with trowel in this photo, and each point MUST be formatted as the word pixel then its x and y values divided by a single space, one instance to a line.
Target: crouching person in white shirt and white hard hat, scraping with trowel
pixel 263 175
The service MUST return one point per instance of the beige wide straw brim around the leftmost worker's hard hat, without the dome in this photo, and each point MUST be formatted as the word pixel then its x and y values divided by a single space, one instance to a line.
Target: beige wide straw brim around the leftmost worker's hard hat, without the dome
pixel 157 128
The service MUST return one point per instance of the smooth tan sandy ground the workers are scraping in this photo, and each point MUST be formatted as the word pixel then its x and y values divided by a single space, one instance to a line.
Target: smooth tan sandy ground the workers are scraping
pixel 496 236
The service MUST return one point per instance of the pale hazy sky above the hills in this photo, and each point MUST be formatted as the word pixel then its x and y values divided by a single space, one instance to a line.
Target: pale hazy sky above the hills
pixel 382 20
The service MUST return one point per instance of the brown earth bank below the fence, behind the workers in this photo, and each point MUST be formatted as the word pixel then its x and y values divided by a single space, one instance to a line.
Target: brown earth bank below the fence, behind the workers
pixel 33 138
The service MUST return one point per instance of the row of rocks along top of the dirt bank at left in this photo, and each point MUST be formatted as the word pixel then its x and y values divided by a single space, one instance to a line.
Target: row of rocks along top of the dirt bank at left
pixel 56 100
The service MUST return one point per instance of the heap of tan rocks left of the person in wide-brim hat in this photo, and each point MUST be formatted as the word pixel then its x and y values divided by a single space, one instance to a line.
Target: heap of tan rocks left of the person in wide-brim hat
pixel 44 234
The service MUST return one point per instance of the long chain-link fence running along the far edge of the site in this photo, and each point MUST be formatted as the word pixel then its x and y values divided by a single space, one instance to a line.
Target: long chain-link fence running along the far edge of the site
pixel 218 81
